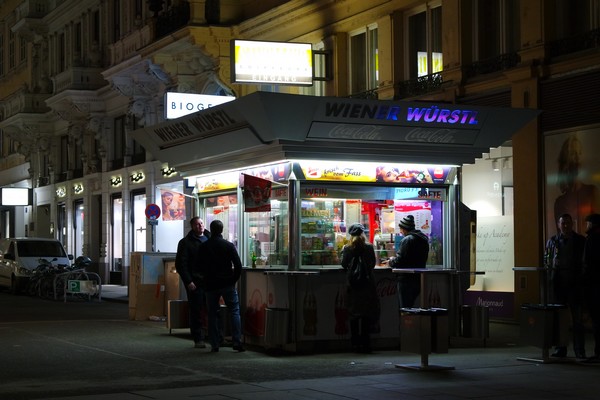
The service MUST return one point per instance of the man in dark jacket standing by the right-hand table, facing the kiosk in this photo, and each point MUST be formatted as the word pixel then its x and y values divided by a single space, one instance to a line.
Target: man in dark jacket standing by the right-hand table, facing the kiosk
pixel 564 253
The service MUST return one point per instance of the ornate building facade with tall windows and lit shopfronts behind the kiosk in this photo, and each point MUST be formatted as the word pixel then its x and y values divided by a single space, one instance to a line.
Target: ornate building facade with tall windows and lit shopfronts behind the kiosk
pixel 78 77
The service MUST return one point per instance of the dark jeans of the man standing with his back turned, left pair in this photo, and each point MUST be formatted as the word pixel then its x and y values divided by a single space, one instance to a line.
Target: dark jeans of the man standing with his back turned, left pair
pixel 230 297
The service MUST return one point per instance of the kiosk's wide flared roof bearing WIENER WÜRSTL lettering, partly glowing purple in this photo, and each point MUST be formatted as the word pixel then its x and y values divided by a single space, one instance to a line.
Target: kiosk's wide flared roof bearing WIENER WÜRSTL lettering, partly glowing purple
pixel 265 127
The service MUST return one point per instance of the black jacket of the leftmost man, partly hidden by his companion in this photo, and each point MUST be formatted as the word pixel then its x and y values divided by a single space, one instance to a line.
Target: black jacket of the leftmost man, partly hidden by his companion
pixel 187 261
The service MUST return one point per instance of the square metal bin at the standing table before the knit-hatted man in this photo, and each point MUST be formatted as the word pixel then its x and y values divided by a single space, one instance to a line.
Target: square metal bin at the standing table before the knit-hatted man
pixel 424 331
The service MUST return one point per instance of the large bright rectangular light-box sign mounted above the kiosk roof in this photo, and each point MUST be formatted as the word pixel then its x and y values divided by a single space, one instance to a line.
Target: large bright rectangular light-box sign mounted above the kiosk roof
pixel 276 63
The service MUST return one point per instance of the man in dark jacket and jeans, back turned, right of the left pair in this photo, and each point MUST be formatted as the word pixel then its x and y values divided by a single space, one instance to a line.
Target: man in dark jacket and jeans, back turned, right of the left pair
pixel 222 268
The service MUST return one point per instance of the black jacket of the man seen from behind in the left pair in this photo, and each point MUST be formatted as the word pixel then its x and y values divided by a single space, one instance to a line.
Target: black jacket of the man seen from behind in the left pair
pixel 221 264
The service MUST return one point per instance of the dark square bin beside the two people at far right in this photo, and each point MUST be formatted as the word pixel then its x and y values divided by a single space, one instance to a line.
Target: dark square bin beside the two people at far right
pixel 544 326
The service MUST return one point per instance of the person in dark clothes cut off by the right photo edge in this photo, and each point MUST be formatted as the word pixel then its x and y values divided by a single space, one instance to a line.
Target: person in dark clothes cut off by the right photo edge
pixel 591 268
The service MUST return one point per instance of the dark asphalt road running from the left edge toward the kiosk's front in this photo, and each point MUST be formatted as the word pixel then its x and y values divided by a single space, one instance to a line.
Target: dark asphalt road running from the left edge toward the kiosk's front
pixel 50 348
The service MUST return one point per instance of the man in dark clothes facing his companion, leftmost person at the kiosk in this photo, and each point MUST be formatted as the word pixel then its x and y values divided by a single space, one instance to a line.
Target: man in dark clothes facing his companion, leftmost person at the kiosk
pixel 187 263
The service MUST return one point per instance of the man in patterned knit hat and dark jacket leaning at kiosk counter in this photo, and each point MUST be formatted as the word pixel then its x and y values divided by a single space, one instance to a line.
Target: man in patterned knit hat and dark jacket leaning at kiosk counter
pixel 413 253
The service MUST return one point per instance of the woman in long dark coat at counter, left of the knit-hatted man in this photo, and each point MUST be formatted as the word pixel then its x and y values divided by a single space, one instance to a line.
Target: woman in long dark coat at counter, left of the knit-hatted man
pixel 363 303
